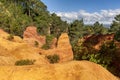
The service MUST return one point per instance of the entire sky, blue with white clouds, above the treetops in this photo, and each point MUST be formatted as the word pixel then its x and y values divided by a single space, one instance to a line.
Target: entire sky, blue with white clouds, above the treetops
pixel 103 11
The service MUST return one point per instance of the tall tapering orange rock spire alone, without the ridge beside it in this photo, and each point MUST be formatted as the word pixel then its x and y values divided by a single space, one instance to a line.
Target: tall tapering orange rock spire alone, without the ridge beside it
pixel 64 48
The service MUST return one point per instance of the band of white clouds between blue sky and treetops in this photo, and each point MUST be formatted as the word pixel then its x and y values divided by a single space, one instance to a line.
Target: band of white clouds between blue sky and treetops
pixel 103 16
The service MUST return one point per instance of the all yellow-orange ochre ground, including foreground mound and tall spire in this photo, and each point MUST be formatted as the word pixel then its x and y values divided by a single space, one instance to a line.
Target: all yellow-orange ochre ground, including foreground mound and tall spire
pixel 17 49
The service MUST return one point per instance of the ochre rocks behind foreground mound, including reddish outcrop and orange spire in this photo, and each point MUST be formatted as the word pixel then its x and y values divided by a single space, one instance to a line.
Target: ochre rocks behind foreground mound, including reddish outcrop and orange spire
pixel 17 48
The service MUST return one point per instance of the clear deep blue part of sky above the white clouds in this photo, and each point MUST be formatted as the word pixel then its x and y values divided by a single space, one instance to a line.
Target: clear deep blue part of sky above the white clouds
pixel 75 5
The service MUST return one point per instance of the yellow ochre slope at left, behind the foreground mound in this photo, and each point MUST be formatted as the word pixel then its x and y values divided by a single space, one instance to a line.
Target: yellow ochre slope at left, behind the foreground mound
pixel 17 49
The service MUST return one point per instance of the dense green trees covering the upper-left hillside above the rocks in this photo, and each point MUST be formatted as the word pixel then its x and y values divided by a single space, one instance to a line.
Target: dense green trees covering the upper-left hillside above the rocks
pixel 16 15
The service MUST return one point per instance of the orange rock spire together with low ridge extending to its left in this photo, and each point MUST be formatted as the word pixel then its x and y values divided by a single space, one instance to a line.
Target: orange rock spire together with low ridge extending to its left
pixel 64 49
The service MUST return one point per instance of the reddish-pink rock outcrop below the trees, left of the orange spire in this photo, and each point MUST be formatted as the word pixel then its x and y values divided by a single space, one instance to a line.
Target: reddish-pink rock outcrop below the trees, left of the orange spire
pixel 30 36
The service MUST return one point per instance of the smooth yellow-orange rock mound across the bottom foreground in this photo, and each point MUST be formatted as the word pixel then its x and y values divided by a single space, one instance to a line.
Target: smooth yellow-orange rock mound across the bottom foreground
pixel 82 70
